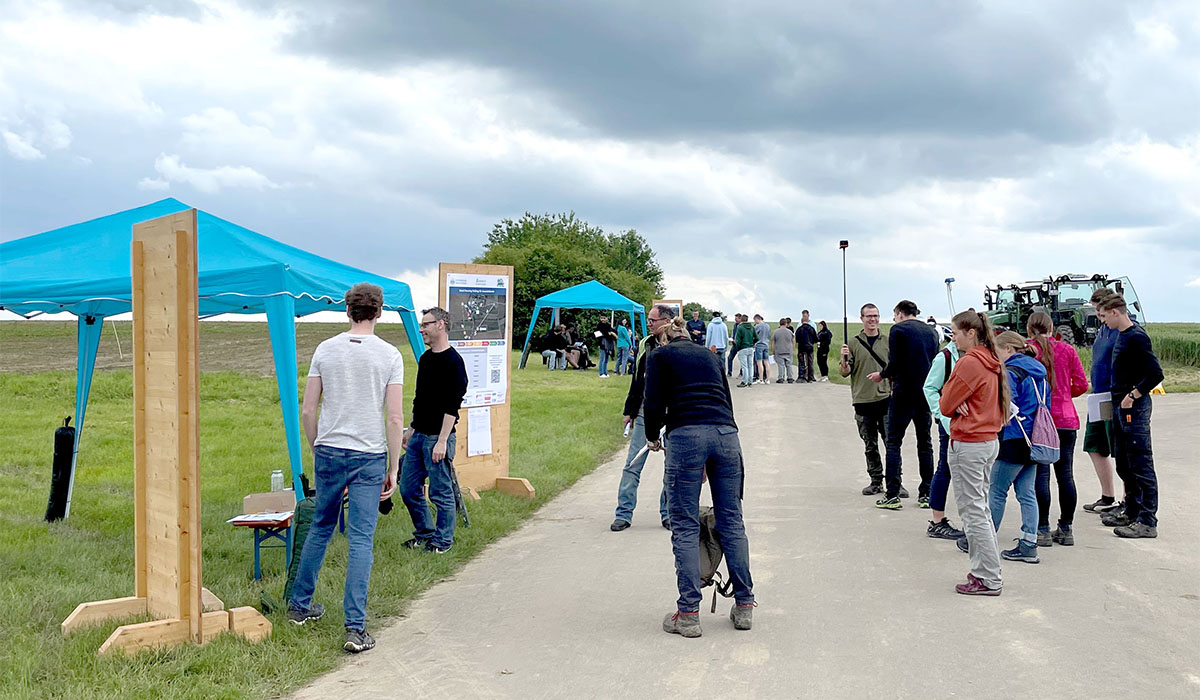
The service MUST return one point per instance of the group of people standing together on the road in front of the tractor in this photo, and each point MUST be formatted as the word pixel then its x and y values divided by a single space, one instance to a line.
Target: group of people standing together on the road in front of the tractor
pixel 1004 405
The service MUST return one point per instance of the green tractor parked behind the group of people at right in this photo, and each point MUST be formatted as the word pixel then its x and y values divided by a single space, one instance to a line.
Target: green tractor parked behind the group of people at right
pixel 1065 298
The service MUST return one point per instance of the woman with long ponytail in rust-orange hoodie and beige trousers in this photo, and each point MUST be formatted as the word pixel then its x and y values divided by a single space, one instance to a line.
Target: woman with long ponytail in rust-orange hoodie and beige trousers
pixel 976 399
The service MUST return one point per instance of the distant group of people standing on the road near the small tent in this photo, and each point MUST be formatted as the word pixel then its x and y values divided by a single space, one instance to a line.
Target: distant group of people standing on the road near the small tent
pixel 754 345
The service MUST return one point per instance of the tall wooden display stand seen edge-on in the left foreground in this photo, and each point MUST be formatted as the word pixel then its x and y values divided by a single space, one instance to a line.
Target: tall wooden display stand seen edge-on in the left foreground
pixel 166 457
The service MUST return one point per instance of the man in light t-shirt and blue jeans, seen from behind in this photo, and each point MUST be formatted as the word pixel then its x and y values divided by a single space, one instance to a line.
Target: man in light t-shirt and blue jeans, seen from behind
pixel 358 381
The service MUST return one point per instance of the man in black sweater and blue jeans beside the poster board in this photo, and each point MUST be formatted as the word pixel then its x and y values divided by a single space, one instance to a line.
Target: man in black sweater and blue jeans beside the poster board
pixel 430 441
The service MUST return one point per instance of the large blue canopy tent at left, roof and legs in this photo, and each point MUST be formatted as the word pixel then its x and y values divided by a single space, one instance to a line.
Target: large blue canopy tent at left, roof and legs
pixel 85 270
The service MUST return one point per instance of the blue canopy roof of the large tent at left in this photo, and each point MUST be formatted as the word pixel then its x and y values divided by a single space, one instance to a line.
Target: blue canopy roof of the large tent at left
pixel 86 270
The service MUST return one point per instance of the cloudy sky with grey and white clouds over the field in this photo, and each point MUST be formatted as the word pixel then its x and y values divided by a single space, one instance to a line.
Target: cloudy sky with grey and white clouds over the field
pixel 987 141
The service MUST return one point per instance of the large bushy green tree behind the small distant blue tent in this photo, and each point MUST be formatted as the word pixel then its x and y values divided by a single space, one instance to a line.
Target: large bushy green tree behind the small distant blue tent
pixel 553 252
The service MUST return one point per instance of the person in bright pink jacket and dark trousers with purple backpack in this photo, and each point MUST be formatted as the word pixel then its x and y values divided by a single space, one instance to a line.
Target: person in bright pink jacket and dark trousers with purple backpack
pixel 1067 381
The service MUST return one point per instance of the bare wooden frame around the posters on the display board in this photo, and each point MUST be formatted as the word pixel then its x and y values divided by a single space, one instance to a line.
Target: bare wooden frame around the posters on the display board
pixel 491 471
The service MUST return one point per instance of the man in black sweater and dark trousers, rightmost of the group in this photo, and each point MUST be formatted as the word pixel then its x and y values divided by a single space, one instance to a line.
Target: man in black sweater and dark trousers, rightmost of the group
pixel 1136 373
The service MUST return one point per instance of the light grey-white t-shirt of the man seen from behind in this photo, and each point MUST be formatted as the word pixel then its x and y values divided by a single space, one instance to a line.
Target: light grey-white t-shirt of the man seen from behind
pixel 356 372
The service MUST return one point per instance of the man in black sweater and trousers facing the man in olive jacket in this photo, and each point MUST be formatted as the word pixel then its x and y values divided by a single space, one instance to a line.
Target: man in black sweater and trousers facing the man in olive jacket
pixel 913 345
